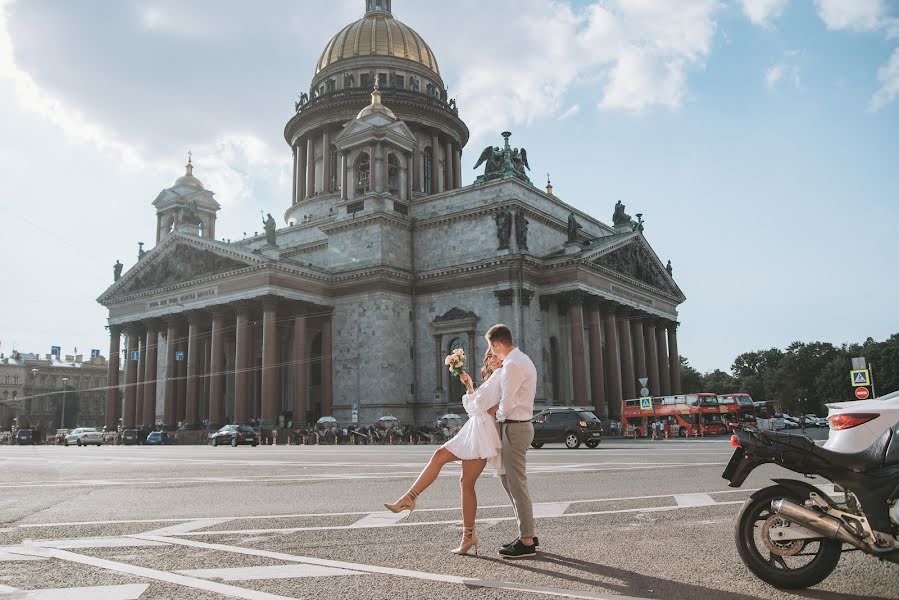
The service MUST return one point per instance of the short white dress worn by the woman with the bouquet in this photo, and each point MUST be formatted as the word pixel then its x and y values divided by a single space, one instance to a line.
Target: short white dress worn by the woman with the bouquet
pixel 479 437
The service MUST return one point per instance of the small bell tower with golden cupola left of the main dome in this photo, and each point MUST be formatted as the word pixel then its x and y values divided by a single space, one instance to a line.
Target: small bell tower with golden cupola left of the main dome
pixel 186 206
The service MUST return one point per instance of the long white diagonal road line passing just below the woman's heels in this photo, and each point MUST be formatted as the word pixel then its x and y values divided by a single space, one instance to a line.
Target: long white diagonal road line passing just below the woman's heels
pixel 484 583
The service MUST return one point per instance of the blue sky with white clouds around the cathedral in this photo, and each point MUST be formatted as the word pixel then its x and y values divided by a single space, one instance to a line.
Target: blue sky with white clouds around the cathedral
pixel 759 138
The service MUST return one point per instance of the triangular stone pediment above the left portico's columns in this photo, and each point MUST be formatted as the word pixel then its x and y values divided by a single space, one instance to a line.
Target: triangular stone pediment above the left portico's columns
pixel 176 263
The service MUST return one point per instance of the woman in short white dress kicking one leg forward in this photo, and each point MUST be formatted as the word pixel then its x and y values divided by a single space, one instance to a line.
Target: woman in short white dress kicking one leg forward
pixel 476 444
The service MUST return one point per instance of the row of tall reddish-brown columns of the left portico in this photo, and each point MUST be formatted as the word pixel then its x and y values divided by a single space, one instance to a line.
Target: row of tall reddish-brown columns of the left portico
pixel 262 358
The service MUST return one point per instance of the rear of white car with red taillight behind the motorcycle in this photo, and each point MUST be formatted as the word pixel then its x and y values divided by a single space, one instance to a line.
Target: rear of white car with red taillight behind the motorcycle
pixel 855 425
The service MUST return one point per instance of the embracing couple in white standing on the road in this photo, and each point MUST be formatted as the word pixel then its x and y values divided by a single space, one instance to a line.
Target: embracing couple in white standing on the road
pixel 498 433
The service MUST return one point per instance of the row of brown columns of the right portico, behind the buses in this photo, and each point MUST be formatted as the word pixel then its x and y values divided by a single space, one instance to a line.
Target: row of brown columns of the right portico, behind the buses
pixel 612 347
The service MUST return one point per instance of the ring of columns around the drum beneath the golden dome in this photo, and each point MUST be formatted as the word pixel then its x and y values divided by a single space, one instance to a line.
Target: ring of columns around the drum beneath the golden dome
pixel 319 167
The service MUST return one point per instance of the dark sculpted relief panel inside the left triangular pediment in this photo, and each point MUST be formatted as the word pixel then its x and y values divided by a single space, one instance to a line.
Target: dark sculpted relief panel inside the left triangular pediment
pixel 182 265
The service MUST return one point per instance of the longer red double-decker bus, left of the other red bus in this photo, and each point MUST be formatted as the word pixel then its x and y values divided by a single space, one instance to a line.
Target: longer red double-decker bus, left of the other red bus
pixel 683 415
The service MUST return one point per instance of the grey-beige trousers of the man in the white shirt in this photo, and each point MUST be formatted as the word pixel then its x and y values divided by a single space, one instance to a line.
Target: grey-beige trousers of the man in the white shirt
pixel 516 438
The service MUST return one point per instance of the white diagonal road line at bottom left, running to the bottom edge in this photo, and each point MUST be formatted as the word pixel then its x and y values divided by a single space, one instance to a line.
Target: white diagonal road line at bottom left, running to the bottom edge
pixel 191 582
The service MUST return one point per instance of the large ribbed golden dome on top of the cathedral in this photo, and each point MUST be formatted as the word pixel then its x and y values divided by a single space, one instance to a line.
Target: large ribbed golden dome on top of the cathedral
pixel 377 34
